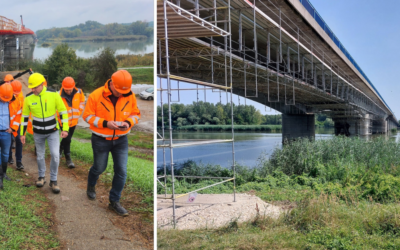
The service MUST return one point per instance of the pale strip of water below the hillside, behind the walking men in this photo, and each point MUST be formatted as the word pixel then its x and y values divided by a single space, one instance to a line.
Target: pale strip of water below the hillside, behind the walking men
pixel 90 49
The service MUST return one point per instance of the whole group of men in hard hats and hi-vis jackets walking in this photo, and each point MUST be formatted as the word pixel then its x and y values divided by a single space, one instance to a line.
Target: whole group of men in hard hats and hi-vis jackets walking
pixel 110 110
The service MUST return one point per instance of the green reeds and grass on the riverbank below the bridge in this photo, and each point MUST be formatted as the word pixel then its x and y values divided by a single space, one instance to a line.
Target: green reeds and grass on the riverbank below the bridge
pixel 341 193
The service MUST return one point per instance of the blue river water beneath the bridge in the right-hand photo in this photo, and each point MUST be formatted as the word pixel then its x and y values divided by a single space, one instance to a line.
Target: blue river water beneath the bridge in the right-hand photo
pixel 249 147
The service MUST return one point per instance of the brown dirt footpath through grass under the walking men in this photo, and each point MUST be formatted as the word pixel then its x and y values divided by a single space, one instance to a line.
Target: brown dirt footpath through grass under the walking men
pixel 81 223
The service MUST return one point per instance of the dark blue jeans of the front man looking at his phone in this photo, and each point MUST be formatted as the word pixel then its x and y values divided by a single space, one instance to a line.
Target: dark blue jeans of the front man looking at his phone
pixel 119 152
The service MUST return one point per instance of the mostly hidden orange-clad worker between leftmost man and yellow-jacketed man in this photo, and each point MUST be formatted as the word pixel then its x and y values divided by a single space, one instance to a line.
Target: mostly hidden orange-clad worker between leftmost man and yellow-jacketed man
pixel 17 88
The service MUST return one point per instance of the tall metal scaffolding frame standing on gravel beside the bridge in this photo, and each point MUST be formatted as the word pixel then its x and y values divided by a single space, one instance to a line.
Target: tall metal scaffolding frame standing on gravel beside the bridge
pixel 209 29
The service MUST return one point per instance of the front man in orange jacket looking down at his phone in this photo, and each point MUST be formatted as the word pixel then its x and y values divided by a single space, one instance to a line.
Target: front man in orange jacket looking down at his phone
pixel 111 111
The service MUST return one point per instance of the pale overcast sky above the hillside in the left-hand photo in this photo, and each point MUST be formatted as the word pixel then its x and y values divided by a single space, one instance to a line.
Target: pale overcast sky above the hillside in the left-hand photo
pixel 45 14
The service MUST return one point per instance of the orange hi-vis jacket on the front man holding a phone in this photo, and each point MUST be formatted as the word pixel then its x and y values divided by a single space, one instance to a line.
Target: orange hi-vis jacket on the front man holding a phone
pixel 100 110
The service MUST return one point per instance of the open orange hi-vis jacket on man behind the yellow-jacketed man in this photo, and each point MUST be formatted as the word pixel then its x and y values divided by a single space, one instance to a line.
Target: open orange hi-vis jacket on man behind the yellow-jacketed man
pixel 74 108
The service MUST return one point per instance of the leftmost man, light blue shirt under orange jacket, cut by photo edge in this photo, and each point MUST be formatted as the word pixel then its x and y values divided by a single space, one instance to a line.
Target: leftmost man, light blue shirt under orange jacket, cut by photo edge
pixel 9 123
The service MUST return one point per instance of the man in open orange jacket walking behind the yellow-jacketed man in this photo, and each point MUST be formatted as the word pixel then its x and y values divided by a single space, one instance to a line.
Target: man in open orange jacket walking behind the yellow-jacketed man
pixel 74 101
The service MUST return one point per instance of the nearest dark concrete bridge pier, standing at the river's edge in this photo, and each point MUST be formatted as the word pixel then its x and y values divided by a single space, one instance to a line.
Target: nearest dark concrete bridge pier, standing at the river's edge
pixel 297 126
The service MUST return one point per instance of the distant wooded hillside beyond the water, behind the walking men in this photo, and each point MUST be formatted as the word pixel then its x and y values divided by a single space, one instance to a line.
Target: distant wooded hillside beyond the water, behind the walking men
pixel 96 29
